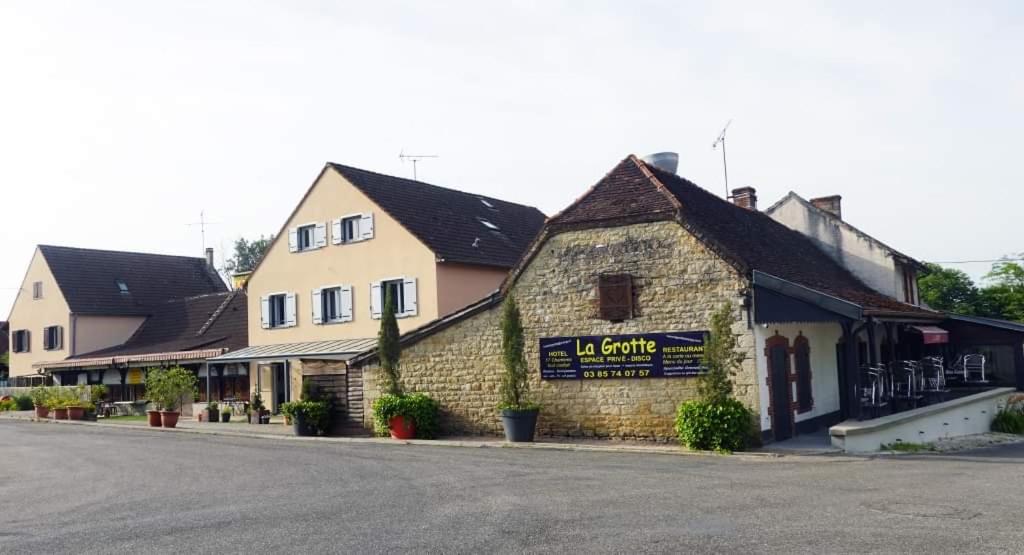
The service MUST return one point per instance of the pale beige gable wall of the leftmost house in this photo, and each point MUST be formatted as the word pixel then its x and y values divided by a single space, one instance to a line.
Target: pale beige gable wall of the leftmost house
pixel 34 315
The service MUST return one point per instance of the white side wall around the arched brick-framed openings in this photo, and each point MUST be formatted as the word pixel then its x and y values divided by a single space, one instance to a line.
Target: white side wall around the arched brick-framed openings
pixel 825 372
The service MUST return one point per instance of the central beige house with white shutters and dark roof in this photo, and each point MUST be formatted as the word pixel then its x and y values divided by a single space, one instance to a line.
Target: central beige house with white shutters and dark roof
pixel 319 292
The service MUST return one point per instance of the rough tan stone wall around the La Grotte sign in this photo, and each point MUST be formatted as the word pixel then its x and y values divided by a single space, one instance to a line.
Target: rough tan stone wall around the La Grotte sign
pixel 679 285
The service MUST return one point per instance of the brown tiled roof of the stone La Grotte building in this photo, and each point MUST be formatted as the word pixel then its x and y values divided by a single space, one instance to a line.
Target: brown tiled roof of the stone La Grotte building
pixel 747 239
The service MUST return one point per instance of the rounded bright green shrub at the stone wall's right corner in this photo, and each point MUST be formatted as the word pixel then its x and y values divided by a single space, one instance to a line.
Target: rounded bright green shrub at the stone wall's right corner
pixel 720 426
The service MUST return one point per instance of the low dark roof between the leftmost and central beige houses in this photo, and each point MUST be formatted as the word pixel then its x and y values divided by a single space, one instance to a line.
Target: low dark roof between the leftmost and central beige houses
pixel 205 322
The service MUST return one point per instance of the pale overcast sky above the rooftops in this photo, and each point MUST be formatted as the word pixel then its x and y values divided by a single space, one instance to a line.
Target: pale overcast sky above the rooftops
pixel 122 121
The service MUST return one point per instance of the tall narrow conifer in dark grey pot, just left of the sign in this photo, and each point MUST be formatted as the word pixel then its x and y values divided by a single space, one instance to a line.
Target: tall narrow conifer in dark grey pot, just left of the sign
pixel 519 414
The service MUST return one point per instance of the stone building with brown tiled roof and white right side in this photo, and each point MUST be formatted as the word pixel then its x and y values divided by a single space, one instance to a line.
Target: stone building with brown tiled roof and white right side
pixel 646 252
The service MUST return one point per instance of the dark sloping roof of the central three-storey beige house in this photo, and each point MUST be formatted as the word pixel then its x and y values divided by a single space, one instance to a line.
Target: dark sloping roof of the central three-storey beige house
pixel 449 222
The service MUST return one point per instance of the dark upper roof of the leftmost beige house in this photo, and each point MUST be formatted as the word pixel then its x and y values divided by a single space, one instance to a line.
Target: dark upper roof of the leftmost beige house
pixel 88 279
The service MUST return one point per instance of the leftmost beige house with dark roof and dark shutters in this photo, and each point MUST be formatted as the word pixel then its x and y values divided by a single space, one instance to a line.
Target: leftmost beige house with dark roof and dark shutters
pixel 75 302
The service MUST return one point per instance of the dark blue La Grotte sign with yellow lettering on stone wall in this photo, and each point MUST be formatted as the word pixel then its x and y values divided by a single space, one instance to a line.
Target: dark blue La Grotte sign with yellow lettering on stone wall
pixel 611 357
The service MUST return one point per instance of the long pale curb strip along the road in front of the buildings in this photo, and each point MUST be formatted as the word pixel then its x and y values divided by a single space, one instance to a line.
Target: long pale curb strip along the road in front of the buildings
pixel 679 452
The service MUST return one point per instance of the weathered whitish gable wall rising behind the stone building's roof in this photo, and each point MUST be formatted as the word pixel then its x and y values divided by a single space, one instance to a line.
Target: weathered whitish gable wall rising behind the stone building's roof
pixel 864 257
